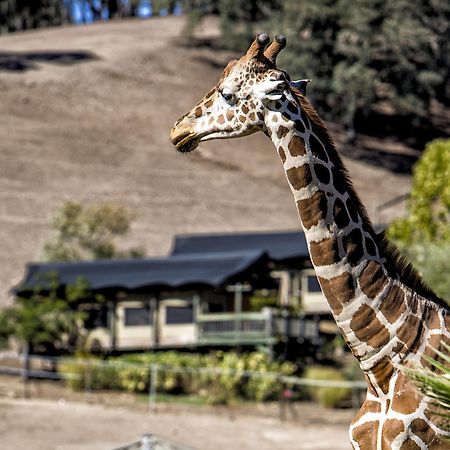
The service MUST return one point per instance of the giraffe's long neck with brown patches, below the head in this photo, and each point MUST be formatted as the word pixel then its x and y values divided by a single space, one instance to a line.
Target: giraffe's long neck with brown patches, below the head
pixel 342 243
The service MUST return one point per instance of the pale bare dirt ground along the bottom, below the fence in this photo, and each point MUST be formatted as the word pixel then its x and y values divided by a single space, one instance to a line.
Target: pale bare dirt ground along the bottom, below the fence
pixel 57 419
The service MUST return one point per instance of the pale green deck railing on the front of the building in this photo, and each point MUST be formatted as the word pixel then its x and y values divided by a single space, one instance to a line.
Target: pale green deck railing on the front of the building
pixel 243 328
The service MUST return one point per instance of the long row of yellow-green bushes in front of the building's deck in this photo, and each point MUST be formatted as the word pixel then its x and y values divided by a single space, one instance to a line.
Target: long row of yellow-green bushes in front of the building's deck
pixel 218 377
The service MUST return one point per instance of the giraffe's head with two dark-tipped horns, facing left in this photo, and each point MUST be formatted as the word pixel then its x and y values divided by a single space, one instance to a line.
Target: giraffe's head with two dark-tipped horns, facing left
pixel 237 105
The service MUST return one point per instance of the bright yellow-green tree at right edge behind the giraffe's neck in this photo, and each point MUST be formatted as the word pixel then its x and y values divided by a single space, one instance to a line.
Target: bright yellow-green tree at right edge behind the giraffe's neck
pixel 425 233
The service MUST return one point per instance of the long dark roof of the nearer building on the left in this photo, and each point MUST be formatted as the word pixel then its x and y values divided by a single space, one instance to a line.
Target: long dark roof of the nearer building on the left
pixel 210 269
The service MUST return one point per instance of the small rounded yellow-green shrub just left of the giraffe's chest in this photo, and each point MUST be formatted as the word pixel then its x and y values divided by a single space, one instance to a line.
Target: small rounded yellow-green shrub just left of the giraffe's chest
pixel 326 396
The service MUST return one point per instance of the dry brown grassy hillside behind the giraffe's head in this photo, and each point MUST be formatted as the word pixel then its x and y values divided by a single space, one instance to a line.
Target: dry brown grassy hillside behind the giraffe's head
pixel 85 114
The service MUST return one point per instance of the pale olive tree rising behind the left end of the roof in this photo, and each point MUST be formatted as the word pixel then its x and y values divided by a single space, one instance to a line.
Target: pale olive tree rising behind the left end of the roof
pixel 89 232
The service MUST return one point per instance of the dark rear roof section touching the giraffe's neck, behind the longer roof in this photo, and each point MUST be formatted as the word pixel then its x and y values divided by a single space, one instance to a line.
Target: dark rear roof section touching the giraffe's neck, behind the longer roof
pixel 280 245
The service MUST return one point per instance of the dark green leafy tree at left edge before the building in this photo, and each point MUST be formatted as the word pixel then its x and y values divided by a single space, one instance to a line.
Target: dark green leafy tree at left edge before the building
pixel 47 320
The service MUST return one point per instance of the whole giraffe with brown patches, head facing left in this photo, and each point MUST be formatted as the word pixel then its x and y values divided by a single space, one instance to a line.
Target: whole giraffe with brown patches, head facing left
pixel 385 313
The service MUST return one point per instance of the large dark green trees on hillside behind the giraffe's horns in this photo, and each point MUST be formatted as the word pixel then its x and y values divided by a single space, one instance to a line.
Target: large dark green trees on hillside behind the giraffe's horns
pixel 368 56
